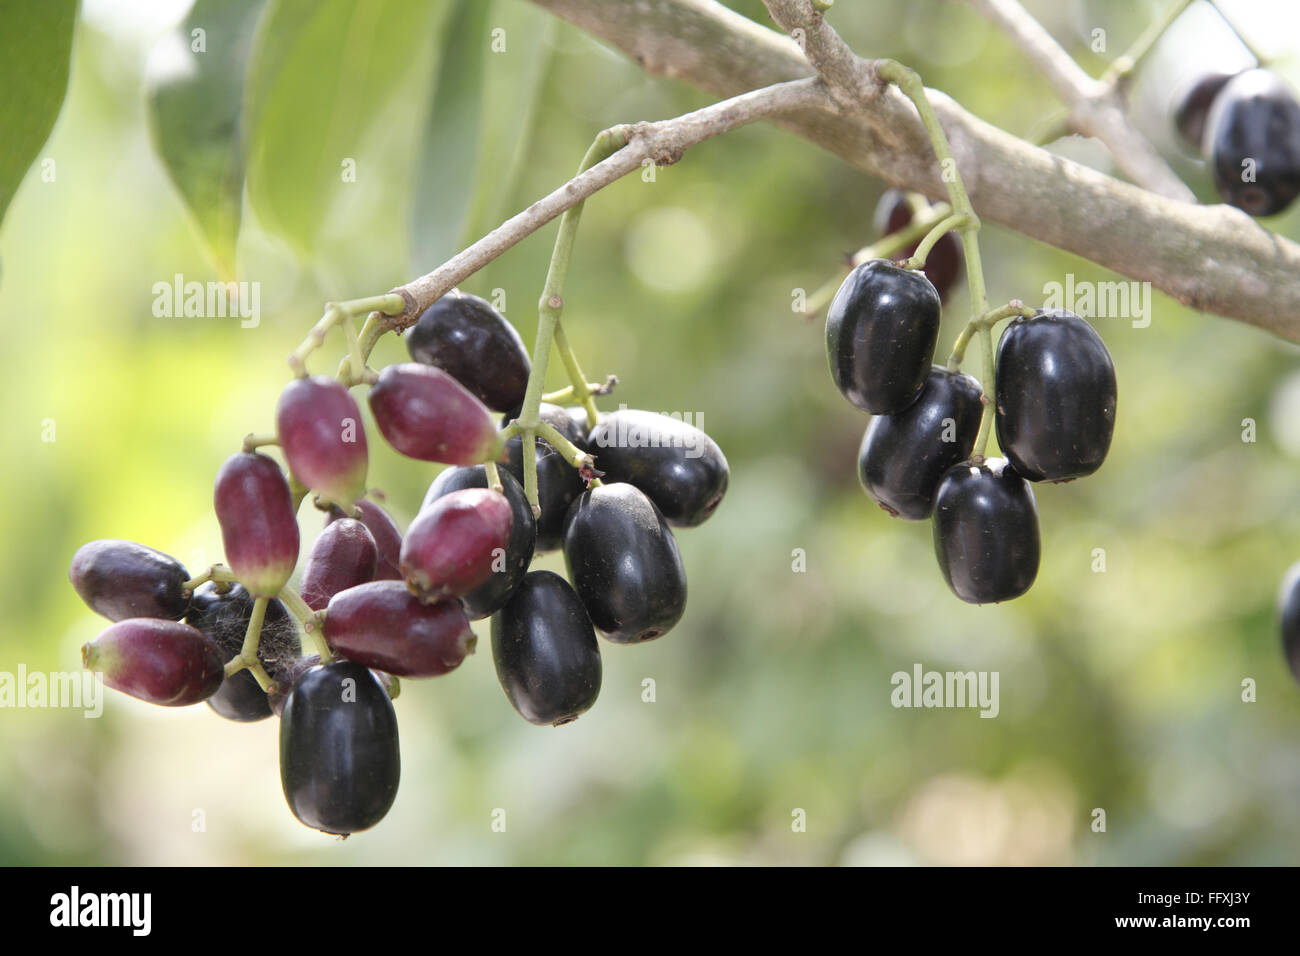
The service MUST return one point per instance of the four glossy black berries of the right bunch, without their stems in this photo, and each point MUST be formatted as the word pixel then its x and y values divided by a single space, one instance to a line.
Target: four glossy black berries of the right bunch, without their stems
pixel 1055 414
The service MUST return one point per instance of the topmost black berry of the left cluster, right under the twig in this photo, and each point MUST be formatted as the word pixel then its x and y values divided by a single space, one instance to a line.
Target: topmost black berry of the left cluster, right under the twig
pixel 473 343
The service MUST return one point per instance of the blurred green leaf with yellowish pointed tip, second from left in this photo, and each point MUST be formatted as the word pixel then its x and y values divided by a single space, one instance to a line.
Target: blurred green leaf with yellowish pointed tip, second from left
pixel 194 119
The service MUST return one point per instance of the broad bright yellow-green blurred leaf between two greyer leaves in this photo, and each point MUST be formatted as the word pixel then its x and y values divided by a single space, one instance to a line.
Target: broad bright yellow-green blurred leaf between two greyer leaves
pixel 322 81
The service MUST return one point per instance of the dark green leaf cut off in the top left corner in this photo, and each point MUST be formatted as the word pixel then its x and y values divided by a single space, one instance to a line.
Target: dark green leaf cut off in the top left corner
pixel 36 49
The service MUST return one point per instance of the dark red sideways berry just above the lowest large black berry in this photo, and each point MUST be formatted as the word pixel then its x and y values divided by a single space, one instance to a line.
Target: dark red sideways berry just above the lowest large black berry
pixel 385 626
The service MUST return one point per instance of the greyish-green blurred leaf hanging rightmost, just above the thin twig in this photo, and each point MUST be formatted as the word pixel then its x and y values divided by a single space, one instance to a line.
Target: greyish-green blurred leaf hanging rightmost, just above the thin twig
pixel 478 129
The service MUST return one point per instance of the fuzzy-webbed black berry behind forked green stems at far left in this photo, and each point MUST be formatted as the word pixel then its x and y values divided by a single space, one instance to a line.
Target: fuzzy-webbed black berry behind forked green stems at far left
pixel 224 618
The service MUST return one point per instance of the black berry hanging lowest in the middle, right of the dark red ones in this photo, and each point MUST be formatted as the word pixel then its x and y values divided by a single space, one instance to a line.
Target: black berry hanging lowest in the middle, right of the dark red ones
pixel 545 648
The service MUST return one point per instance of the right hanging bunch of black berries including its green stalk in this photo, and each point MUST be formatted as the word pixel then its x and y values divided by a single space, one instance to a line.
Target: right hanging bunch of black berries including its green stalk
pixel 1051 392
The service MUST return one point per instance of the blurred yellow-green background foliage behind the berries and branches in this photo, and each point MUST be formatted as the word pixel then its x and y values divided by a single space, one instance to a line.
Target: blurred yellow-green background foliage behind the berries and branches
pixel 1120 690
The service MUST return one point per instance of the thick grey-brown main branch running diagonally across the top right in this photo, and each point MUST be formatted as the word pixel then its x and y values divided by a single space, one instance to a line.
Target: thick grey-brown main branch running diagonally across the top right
pixel 1212 258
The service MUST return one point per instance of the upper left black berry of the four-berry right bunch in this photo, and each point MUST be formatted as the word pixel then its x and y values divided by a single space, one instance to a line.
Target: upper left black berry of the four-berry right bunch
pixel 881 334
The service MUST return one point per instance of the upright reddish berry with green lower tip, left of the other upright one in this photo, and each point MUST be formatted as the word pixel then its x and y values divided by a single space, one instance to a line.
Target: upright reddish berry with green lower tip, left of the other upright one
pixel 259 527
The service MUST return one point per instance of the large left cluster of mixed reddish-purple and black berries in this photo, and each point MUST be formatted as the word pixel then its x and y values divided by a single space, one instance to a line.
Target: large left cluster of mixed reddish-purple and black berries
pixel 389 605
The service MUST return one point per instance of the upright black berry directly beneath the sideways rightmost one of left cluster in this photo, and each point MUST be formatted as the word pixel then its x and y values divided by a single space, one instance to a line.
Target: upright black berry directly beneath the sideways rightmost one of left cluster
pixel 625 564
